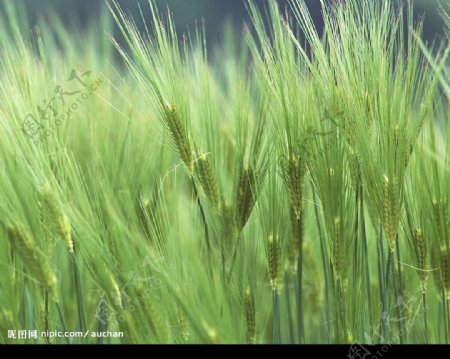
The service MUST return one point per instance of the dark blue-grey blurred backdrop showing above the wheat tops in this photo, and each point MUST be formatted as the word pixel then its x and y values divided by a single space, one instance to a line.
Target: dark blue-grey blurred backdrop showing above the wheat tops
pixel 186 12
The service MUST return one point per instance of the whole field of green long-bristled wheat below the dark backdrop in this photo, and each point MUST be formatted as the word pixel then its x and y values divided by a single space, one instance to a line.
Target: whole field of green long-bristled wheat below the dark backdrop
pixel 286 186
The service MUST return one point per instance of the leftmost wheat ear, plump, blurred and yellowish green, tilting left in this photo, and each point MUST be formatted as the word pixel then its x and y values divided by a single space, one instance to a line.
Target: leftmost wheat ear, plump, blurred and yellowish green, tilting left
pixel 35 261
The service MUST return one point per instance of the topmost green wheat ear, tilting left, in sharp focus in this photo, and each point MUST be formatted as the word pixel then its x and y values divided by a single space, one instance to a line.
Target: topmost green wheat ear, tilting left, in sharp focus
pixel 180 137
